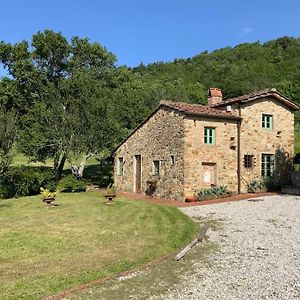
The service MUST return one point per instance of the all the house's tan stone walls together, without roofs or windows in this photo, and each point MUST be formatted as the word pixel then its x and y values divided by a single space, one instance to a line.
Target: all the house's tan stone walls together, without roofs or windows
pixel 170 133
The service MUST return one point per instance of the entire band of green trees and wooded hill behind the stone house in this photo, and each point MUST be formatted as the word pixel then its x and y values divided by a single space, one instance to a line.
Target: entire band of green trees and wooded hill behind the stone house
pixel 64 99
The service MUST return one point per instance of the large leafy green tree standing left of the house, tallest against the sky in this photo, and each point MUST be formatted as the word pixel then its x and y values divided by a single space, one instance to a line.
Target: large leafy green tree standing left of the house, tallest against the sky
pixel 64 86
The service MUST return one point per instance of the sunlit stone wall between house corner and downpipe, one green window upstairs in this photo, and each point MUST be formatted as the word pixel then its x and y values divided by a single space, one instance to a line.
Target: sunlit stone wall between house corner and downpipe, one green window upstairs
pixel 219 159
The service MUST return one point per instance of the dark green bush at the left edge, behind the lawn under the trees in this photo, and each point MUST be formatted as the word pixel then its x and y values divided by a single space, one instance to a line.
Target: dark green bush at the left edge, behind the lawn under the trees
pixel 26 181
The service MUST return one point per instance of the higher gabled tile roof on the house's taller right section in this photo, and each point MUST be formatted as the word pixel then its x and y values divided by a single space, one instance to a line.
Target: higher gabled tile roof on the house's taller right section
pixel 257 95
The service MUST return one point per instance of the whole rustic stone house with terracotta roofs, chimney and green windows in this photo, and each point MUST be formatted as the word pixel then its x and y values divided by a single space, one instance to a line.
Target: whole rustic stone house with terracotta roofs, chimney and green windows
pixel 183 147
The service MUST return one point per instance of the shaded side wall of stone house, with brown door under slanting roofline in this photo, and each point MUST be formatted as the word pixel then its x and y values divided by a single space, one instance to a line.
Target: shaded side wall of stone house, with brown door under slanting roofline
pixel 157 139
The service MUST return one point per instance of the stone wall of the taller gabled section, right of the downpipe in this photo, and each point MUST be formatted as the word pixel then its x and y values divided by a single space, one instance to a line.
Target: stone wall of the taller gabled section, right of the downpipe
pixel 256 140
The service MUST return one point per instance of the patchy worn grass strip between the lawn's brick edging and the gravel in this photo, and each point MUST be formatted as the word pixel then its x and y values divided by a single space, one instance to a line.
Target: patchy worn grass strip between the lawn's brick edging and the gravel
pixel 159 279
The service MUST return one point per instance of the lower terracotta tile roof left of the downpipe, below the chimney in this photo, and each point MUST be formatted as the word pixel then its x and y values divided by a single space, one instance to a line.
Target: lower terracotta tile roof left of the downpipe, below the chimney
pixel 198 110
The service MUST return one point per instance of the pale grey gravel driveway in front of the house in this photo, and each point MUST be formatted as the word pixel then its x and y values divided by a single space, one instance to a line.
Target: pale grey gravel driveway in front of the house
pixel 259 256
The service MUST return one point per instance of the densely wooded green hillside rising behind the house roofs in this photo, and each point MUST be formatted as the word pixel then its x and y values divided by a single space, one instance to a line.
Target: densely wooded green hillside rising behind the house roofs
pixel 238 70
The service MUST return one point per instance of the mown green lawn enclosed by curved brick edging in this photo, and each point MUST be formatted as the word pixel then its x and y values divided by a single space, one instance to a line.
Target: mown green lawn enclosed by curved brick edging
pixel 47 250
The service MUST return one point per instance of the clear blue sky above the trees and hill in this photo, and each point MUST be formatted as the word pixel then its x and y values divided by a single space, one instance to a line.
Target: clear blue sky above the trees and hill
pixel 154 30
